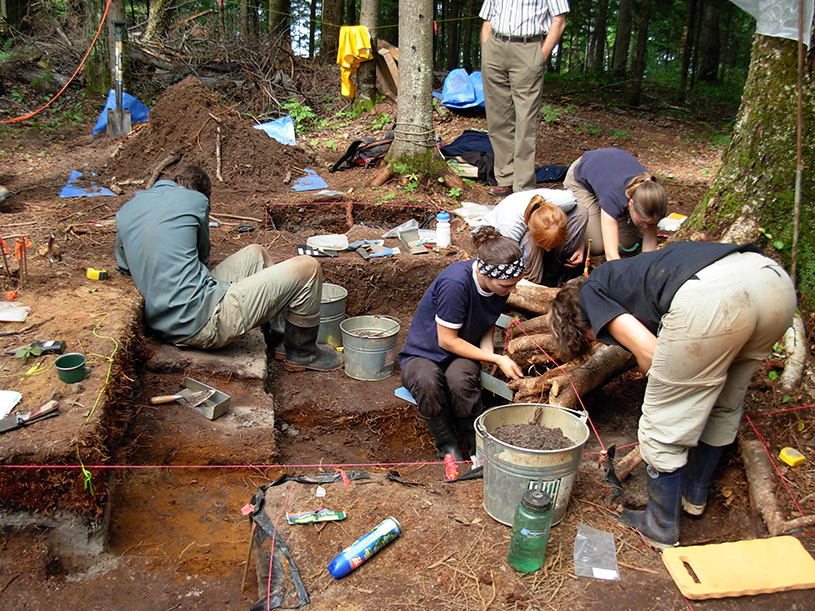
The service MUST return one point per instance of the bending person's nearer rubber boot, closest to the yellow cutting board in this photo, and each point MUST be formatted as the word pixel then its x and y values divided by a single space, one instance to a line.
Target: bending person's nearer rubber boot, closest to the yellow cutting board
pixel 659 522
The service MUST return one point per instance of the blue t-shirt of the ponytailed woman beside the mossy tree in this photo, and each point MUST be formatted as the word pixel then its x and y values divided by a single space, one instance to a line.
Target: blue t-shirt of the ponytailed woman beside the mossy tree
pixel 606 172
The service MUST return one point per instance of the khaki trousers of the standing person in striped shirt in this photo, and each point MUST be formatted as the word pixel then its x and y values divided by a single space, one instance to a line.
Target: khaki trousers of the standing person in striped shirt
pixel 512 73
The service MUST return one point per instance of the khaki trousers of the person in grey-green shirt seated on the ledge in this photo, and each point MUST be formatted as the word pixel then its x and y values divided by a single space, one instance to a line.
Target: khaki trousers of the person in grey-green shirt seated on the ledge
pixel 258 293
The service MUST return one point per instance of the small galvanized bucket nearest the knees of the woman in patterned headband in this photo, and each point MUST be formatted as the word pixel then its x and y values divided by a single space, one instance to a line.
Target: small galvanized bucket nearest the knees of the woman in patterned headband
pixel 369 346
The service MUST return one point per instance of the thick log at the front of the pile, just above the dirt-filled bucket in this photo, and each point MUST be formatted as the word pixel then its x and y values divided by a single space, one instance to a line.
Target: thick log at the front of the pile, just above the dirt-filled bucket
pixel 605 363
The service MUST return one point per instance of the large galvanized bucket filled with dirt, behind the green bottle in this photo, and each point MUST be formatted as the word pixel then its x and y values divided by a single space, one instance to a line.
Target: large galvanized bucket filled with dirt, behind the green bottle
pixel 509 471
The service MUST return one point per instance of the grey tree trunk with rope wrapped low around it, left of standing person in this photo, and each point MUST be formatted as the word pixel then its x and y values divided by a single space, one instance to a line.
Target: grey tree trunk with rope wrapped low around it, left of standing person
pixel 413 142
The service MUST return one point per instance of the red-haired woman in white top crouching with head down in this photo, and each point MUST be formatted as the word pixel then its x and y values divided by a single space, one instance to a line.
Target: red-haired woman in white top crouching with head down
pixel 550 226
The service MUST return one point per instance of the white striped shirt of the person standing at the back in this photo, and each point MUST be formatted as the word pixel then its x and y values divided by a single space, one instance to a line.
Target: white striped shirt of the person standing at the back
pixel 522 17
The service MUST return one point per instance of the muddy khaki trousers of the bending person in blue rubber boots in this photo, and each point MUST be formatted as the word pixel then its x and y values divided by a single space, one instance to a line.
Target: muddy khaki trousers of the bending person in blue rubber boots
pixel 718 330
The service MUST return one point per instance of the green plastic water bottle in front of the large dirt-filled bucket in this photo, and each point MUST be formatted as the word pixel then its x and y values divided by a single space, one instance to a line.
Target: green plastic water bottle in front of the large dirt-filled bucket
pixel 530 532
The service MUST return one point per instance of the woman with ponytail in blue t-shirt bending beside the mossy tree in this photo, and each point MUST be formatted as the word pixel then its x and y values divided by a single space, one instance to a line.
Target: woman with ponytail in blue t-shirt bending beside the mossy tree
pixel 624 200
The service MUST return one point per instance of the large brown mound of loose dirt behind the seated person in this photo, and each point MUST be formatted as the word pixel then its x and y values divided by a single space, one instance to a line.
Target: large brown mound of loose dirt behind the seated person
pixel 186 121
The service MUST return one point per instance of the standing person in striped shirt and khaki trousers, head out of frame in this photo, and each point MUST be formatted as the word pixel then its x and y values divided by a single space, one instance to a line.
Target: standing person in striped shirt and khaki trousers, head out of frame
pixel 517 38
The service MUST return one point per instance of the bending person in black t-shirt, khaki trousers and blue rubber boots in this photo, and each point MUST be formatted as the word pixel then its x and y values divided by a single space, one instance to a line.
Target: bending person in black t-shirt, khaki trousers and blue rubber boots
pixel 699 317
